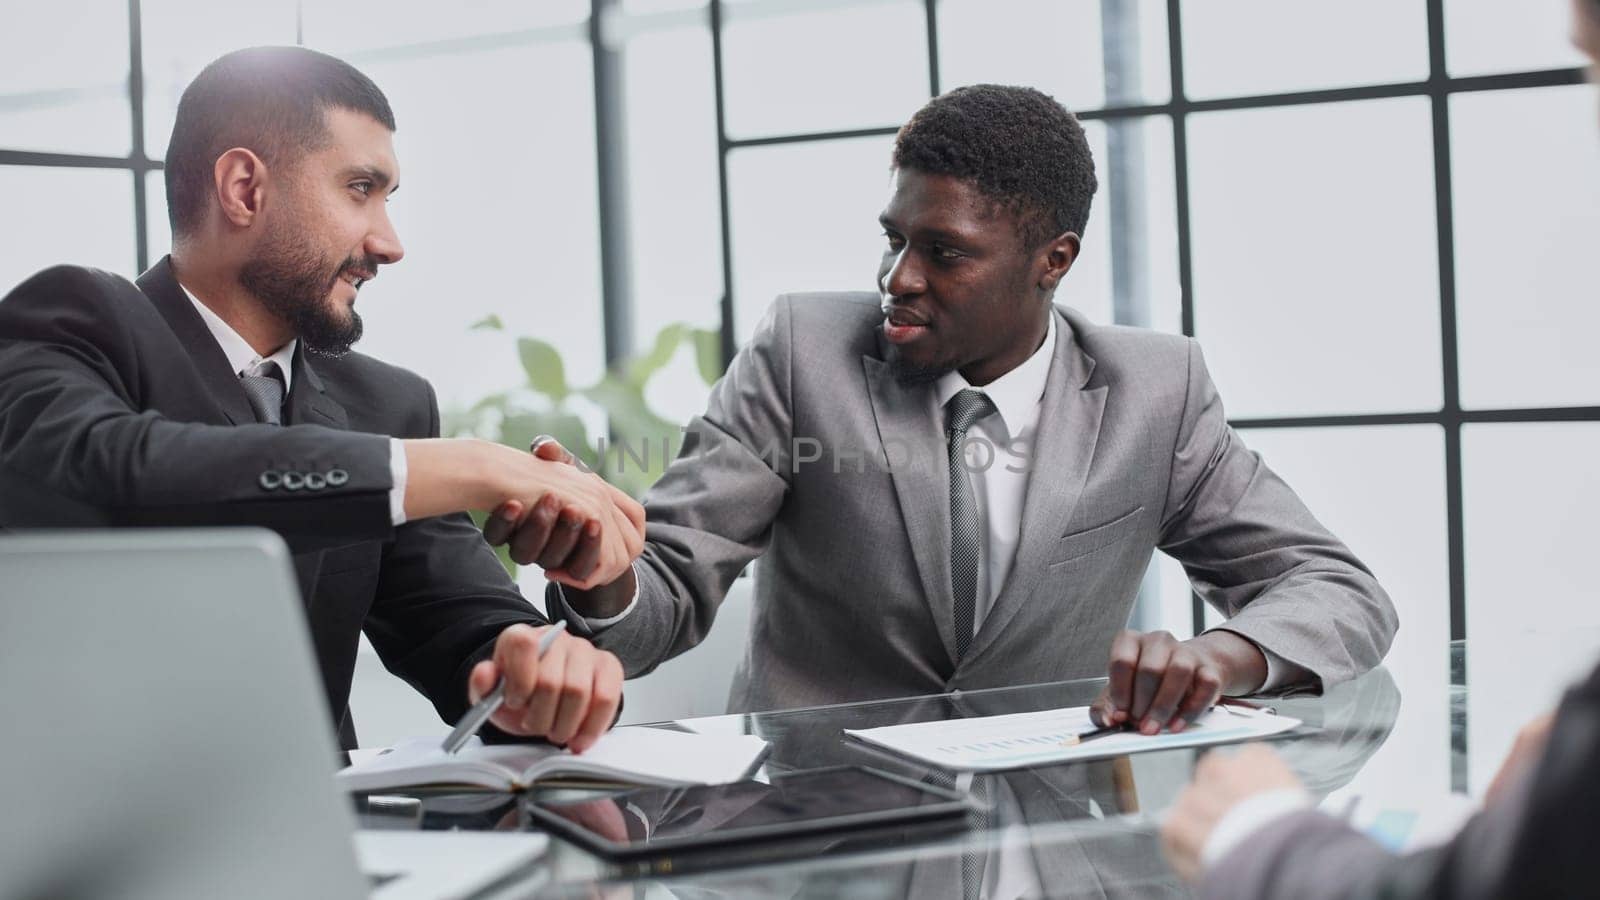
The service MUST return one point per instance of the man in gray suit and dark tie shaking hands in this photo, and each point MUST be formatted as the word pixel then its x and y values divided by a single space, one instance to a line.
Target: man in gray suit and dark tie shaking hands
pixel 1076 449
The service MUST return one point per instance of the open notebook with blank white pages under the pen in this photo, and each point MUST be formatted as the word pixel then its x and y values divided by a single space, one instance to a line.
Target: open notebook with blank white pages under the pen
pixel 626 757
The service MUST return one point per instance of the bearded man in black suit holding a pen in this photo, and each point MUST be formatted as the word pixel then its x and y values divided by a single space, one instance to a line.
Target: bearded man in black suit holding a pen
pixel 222 392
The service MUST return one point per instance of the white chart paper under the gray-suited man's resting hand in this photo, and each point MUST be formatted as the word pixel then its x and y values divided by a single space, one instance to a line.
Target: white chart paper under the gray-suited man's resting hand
pixel 990 744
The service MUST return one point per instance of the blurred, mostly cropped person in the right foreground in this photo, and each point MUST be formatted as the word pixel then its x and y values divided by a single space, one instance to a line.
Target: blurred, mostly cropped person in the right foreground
pixel 1246 827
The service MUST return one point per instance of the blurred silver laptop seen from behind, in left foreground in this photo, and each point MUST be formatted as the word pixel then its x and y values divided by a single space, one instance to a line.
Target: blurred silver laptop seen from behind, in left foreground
pixel 166 734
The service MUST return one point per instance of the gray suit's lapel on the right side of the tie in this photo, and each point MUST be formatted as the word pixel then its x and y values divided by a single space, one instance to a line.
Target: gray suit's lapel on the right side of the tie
pixel 1060 465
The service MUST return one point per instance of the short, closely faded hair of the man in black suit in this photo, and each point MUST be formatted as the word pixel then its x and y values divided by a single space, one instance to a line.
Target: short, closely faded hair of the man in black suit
pixel 270 100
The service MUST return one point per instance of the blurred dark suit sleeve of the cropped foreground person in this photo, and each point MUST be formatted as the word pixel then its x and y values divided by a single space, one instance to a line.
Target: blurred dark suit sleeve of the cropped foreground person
pixel 1538 842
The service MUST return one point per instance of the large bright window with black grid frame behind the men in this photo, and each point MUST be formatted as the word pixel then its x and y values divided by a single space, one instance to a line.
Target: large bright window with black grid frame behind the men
pixel 1375 215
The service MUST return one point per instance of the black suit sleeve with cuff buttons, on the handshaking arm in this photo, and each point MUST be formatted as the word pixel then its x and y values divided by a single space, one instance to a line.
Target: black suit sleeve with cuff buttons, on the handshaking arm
pixel 79 449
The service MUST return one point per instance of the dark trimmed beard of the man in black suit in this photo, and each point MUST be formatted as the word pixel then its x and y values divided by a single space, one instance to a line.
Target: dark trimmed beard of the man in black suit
pixel 295 284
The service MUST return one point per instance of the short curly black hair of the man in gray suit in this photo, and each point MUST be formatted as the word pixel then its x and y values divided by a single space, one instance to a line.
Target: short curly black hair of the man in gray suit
pixel 1018 145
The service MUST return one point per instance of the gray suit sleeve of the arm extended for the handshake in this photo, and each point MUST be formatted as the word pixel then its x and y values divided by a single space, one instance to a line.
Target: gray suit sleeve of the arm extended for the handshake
pixel 713 512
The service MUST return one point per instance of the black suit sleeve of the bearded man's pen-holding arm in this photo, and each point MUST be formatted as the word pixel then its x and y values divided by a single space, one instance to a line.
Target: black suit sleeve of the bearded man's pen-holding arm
pixel 442 601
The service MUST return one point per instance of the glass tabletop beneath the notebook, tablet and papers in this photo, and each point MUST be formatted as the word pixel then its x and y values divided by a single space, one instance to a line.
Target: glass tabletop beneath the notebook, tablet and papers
pixel 1070 830
